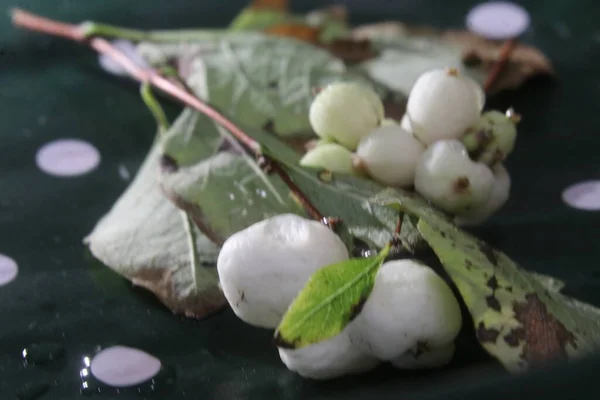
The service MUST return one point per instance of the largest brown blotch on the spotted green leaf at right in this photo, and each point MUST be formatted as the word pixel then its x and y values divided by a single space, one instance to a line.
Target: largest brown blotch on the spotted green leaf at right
pixel 544 336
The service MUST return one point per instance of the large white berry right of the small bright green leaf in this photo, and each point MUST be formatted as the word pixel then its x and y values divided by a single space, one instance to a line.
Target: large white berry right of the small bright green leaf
pixel 409 305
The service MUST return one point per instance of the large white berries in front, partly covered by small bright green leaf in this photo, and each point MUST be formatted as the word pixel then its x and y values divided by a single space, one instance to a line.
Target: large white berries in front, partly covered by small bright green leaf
pixel 410 319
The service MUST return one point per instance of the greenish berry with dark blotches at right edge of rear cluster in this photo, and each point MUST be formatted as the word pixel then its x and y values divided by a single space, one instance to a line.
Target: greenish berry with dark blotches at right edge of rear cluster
pixel 493 137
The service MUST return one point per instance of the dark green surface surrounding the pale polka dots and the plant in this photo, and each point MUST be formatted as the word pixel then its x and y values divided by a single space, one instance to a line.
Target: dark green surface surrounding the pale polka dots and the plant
pixel 62 295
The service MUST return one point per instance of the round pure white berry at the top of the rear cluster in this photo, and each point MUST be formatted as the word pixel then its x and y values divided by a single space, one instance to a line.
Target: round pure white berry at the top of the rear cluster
pixel 442 104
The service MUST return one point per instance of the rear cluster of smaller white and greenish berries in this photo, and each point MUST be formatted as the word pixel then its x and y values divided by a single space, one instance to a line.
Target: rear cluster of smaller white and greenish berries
pixel 444 146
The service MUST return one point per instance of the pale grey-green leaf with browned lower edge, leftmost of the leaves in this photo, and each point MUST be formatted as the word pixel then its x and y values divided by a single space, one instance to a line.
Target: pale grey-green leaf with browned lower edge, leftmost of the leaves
pixel 144 238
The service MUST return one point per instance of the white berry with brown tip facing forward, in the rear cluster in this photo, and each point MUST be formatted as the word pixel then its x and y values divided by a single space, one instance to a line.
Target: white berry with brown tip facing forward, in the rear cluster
pixel 446 176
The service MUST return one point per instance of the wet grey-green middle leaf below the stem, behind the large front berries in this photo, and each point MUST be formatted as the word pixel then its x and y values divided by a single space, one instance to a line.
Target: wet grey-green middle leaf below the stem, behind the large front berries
pixel 224 191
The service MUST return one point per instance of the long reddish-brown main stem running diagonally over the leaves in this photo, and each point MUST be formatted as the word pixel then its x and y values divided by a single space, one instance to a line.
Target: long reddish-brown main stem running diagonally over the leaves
pixel 36 23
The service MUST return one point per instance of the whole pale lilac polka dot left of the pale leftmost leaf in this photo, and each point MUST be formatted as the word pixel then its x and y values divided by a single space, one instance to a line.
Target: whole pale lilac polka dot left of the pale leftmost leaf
pixel 67 157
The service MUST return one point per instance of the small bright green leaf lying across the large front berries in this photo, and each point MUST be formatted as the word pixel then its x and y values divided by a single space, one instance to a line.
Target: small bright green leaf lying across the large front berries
pixel 329 301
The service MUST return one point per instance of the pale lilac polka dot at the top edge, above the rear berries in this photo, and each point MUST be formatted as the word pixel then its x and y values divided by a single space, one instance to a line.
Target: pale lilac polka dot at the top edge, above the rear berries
pixel 498 20
